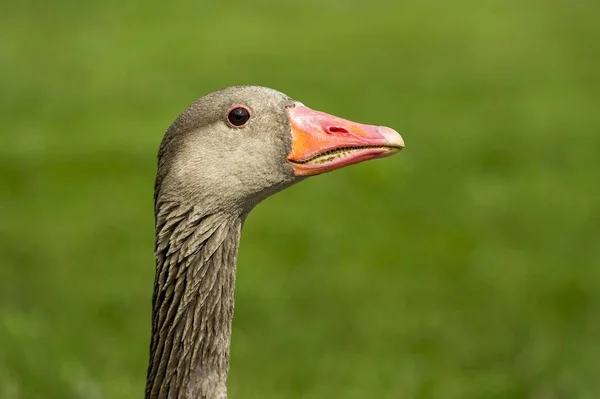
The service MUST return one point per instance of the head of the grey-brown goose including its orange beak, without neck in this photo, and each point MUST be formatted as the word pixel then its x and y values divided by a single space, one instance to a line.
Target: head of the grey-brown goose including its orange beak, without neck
pixel 234 147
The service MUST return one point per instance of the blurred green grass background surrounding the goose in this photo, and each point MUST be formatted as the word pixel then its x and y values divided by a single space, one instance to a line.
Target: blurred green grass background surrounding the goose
pixel 466 267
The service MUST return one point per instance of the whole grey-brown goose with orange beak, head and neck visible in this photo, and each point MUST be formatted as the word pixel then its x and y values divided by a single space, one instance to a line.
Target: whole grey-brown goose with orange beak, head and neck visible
pixel 224 154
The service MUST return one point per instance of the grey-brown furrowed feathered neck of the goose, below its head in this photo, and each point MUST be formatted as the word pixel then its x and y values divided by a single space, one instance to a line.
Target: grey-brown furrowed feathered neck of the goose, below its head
pixel 193 302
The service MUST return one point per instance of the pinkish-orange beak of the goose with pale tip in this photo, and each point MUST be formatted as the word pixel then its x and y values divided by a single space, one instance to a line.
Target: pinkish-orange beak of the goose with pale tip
pixel 322 142
